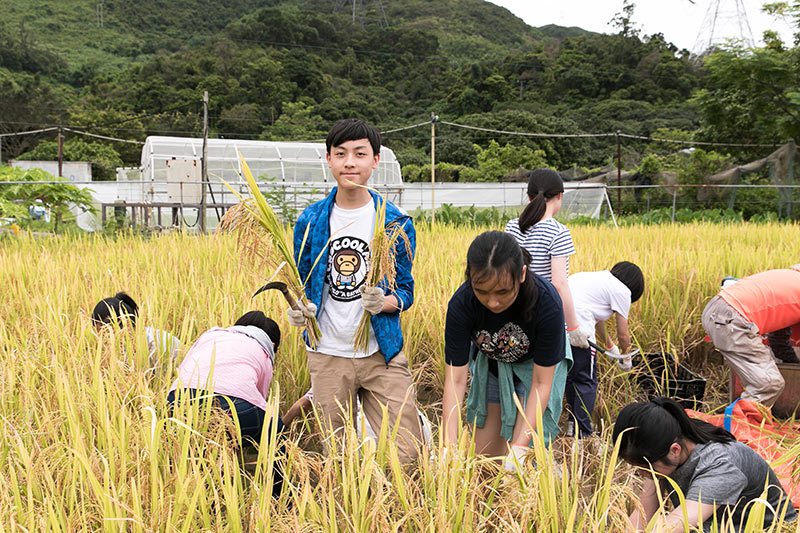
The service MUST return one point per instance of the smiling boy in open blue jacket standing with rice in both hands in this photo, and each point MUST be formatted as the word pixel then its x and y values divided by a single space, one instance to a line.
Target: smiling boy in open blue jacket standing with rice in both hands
pixel 338 295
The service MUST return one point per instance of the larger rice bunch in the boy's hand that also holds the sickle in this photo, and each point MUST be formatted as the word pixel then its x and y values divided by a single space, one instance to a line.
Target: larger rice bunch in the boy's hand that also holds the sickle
pixel 261 237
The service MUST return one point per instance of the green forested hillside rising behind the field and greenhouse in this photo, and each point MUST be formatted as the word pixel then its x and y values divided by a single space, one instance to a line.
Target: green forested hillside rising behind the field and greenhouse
pixel 287 69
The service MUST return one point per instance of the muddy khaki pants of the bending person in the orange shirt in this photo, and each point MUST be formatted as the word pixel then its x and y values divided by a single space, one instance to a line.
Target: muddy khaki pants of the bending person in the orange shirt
pixel 740 343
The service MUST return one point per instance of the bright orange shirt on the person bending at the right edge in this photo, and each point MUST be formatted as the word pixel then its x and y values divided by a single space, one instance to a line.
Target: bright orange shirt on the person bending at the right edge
pixel 770 300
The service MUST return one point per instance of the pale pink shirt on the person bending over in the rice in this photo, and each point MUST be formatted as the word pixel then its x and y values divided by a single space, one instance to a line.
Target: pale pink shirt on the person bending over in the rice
pixel 241 367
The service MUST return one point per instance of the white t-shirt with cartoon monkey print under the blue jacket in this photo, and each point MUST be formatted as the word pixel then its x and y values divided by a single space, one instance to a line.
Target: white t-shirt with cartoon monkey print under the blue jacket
pixel 348 263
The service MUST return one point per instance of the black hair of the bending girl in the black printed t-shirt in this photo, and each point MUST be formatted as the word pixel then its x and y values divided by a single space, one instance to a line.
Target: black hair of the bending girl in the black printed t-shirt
pixel 496 253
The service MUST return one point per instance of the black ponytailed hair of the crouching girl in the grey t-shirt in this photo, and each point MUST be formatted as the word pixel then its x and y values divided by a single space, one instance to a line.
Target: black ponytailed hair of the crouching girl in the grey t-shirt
pixel 655 425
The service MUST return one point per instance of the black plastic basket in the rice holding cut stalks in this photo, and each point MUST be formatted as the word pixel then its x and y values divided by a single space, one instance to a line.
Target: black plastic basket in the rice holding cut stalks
pixel 659 374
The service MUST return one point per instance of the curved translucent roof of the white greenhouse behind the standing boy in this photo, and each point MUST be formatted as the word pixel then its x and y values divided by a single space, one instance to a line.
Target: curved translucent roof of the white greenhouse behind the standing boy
pixel 289 162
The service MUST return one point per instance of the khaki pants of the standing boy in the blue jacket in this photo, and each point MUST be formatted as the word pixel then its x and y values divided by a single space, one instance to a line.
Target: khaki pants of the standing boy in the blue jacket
pixel 337 380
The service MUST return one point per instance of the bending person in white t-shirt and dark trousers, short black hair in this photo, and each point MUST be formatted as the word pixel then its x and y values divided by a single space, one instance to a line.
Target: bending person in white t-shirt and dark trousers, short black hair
pixel 597 296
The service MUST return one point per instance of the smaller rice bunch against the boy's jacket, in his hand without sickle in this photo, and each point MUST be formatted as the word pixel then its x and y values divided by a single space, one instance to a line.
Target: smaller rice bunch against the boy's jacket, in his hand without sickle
pixel 382 264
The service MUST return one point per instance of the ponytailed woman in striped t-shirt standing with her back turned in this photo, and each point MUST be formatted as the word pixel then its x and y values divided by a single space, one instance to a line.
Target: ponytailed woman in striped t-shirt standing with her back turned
pixel 549 242
